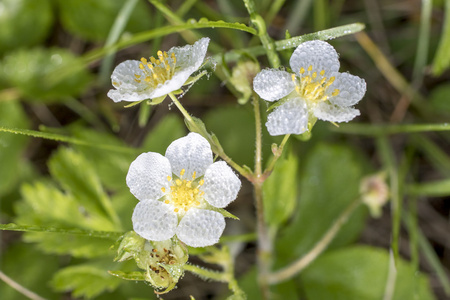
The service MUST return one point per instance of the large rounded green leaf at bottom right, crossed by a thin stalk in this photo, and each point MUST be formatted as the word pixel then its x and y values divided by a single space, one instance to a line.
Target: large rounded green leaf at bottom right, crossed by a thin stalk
pixel 360 273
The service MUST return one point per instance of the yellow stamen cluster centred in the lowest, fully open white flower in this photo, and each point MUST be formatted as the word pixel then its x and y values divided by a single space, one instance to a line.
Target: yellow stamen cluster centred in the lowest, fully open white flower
pixel 184 194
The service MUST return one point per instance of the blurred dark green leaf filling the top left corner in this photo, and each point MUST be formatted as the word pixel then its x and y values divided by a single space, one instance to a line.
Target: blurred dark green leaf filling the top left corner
pixel 24 23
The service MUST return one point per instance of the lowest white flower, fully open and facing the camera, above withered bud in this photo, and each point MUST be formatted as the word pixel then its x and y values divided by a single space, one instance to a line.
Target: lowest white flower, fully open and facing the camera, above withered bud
pixel 179 192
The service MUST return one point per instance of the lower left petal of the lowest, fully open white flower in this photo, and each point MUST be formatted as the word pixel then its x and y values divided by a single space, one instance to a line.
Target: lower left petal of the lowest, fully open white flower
pixel 154 220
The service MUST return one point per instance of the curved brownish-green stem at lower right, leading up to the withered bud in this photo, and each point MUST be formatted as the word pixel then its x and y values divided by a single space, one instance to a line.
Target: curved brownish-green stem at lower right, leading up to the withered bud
pixel 297 266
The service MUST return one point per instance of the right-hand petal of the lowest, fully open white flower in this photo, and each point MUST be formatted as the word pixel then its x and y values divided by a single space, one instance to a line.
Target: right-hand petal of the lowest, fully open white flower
pixel 221 184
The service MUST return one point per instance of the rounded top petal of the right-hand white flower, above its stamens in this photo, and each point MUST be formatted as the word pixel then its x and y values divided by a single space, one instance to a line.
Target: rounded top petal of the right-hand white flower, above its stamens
pixel 318 54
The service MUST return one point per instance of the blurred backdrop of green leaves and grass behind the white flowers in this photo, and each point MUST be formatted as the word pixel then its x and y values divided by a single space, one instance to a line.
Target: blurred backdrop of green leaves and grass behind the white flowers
pixel 55 68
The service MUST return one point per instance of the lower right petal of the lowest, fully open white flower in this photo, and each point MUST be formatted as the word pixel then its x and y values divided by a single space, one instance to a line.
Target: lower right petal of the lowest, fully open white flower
pixel 201 227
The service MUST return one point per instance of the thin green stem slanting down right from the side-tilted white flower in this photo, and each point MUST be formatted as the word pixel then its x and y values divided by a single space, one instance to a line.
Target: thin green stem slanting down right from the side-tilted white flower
pixel 215 145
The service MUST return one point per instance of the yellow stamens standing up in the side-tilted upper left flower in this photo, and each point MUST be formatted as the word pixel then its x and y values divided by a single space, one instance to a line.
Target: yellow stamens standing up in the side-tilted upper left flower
pixel 157 71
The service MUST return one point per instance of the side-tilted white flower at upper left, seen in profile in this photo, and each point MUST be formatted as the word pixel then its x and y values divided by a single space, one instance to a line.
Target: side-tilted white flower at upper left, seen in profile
pixel 139 80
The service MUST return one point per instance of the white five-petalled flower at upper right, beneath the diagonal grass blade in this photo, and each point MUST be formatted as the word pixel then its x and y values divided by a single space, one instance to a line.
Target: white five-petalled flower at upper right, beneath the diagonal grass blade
pixel 315 90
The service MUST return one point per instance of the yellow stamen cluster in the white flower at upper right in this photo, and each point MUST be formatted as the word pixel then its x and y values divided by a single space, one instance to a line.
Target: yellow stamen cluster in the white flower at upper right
pixel 313 87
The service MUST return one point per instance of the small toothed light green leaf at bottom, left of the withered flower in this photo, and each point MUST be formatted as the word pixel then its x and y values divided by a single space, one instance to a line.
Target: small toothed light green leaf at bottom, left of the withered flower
pixel 85 280
